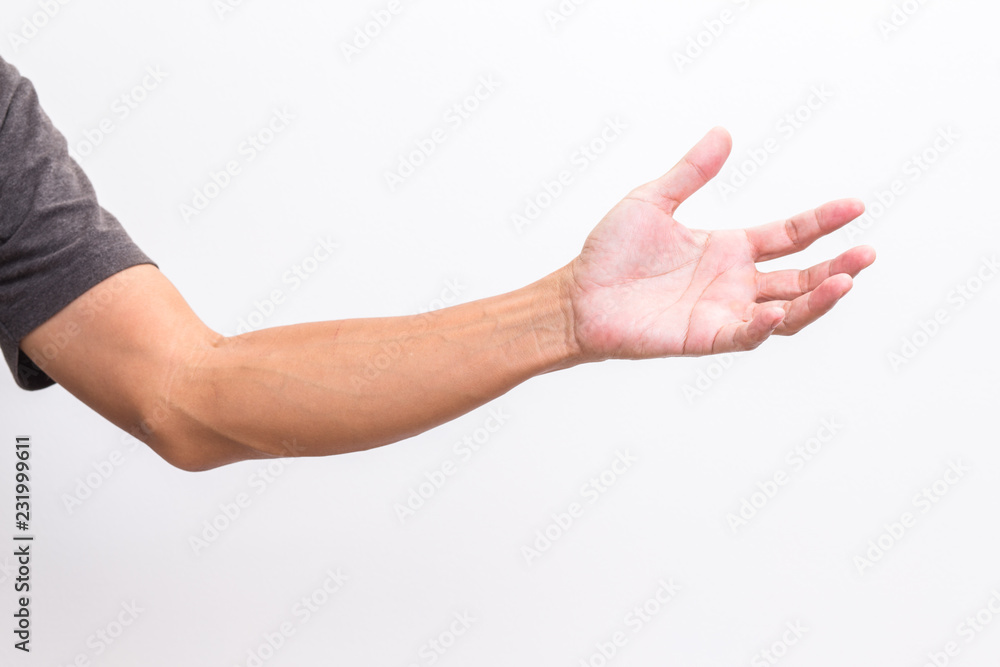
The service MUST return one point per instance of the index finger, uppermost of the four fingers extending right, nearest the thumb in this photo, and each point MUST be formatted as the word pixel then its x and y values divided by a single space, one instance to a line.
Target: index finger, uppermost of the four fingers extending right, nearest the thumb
pixel 784 237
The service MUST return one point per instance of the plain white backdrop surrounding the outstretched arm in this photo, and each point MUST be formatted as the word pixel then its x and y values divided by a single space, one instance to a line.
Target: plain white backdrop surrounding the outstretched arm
pixel 704 433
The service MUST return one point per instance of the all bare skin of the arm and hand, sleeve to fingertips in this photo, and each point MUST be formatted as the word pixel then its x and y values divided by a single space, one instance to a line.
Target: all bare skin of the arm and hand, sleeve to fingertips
pixel 644 286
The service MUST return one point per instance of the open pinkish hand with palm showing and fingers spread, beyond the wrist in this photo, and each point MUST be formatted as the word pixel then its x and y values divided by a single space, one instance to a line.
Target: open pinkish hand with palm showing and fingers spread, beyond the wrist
pixel 646 286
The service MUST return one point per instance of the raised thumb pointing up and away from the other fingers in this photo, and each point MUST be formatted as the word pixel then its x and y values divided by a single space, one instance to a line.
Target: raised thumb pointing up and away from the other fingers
pixel 694 170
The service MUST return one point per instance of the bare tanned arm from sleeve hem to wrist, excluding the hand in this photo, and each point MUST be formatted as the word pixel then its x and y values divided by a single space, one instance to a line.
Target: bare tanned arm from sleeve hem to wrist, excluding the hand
pixel 148 364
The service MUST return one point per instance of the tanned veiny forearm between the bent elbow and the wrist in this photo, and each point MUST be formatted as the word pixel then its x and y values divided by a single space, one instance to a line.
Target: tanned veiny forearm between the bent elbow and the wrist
pixel 332 387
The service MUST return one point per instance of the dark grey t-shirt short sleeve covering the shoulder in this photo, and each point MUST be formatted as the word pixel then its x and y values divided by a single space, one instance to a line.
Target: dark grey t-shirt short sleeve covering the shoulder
pixel 56 242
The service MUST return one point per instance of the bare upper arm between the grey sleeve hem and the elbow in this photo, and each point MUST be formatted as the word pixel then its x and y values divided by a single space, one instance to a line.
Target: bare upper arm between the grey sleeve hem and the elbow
pixel 120 347
